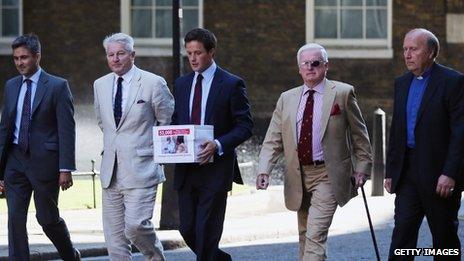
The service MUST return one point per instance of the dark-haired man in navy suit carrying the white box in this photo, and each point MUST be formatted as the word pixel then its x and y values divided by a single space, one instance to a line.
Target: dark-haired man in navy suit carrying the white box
pixel 210 96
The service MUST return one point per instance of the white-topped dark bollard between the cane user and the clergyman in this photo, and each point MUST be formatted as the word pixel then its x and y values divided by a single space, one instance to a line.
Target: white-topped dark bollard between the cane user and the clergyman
pixel 379 147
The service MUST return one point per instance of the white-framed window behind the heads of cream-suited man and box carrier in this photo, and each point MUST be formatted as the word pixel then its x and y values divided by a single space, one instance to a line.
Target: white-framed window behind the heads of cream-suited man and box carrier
pixel 150 23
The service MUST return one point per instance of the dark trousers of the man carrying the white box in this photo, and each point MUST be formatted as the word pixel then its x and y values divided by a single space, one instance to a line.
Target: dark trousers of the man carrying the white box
pixel 202 212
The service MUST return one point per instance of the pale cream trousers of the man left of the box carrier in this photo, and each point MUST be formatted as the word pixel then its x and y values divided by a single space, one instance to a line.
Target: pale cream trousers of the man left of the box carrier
pixel 127 214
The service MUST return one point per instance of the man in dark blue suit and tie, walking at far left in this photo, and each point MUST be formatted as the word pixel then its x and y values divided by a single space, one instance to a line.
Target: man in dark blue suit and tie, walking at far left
pixel 37 139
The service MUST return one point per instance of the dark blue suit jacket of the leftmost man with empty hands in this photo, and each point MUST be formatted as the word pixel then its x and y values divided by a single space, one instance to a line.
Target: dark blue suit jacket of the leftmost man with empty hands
pixel 52 128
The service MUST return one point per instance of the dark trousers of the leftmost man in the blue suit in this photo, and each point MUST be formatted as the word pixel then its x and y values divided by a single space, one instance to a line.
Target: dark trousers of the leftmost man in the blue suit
pixel 20 182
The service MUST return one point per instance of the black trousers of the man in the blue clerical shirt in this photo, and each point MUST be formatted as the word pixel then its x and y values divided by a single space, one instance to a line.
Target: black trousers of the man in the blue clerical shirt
pixel 412 203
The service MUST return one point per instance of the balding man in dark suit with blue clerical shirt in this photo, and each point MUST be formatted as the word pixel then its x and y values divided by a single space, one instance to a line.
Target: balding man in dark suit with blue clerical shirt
pixel 426 147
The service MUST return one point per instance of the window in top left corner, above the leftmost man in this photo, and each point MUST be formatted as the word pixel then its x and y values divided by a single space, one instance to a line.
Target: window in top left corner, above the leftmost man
pixel 10 23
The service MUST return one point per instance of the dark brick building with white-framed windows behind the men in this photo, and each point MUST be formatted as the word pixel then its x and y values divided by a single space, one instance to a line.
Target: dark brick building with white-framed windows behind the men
pixel 257 39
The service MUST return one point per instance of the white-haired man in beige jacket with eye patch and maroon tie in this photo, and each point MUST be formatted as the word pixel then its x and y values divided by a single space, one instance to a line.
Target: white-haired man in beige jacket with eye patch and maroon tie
pixel 320 130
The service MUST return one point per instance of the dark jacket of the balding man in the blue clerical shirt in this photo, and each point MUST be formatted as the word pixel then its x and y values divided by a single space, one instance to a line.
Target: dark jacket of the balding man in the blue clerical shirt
pixel 439 131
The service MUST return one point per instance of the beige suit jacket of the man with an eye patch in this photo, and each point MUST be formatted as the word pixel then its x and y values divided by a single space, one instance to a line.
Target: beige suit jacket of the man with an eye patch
pixel 345 142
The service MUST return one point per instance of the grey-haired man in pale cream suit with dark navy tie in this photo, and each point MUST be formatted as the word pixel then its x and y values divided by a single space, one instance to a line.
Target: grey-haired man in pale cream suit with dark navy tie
pixel 128 103
